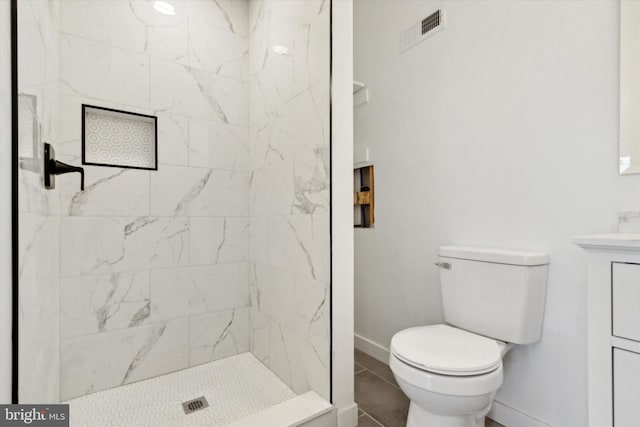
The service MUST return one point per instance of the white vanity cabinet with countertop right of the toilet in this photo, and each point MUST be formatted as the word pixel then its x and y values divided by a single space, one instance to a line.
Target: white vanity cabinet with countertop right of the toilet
pixel 613 304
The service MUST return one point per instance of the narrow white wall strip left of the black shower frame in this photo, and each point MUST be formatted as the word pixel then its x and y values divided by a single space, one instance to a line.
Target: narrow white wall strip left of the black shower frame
pixel 5 202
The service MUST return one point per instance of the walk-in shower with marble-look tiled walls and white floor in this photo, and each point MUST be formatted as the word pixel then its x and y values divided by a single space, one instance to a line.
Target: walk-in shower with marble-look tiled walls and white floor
pixel 196 262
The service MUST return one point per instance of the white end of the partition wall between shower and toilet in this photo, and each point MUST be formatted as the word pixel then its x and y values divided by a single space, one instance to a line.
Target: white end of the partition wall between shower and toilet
pixel 341 205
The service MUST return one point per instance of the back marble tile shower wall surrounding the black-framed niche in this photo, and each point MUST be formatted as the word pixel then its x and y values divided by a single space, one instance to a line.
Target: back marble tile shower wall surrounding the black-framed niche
pixel 153 266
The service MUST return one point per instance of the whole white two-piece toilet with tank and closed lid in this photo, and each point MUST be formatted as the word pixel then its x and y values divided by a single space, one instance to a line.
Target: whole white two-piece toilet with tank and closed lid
pixel 493 299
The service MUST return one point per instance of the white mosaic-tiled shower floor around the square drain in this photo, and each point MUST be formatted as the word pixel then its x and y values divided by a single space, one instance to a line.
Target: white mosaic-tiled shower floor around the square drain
pixel 235 388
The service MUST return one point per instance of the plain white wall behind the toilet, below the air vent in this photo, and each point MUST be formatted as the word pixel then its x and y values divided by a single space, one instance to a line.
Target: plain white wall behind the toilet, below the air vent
pixel 501 130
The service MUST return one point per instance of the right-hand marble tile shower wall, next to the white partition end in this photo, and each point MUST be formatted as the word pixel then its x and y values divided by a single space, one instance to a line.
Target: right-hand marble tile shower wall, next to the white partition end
pixel 289 190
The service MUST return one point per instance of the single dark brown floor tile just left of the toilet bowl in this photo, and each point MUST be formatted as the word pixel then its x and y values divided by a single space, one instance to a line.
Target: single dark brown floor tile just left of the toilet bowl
pixel 381 400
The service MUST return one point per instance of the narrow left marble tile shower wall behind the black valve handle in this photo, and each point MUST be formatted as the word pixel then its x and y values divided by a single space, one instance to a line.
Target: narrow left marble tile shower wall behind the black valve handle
pixel 39 210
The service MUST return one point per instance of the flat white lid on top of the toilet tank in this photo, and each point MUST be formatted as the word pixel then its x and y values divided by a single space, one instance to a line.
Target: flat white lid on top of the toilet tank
pixel 501 256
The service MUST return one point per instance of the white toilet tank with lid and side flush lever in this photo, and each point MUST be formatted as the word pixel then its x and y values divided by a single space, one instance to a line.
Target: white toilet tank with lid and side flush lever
pixel 497 293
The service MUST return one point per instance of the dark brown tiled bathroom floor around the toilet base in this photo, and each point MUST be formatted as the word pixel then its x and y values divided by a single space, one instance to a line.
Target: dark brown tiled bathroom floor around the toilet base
pixel 380 401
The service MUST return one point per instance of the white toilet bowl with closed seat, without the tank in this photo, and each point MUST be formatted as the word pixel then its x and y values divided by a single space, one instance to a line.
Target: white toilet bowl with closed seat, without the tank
pixel 449 375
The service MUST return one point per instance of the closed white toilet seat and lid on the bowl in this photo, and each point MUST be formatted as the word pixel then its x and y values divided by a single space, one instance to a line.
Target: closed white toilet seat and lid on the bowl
pixel 446 350
